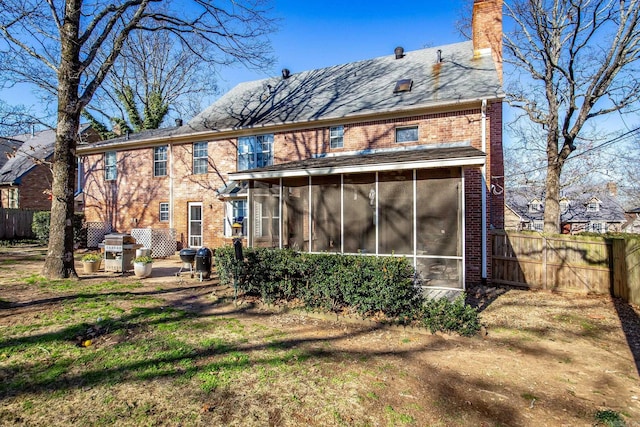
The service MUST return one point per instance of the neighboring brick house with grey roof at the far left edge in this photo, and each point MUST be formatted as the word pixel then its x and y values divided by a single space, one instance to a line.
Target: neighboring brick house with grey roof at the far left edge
pixel 25 175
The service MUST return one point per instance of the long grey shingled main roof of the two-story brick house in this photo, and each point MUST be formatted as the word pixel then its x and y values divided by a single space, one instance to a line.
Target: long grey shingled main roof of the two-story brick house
pixel 353 90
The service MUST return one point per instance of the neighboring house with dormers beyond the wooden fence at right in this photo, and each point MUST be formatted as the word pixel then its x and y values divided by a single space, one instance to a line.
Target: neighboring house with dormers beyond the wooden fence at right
pixel 580 210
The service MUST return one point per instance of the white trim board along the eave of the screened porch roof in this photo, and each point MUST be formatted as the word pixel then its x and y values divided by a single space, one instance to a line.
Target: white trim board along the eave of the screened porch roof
pixel 378 167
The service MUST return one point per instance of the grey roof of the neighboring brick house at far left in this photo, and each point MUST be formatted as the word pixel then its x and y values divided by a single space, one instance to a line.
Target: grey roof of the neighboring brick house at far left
pixel 33 148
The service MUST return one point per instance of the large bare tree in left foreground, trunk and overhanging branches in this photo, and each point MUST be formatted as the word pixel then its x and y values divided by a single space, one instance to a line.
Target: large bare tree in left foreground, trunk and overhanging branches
pixel 68 48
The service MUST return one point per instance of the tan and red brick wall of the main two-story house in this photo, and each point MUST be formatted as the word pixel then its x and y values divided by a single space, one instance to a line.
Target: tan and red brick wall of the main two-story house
pixel 132 200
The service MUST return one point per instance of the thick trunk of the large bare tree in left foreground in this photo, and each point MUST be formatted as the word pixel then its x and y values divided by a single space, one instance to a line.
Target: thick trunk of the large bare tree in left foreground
pixel 59 262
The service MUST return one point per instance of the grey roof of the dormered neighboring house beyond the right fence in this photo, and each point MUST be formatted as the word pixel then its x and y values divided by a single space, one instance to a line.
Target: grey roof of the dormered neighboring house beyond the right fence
pixel 609 210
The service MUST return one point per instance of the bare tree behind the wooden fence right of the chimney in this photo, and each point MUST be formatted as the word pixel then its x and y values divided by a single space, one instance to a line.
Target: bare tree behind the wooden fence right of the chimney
pixel 574 61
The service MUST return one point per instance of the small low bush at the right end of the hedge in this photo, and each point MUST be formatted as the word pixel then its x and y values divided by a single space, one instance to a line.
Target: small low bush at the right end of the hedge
pixel 447 316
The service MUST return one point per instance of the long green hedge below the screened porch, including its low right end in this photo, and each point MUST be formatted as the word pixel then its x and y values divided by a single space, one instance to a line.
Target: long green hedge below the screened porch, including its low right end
pixel 332 282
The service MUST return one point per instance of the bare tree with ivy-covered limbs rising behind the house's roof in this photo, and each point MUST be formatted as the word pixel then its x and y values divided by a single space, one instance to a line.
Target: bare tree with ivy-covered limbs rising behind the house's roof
pixel 156 73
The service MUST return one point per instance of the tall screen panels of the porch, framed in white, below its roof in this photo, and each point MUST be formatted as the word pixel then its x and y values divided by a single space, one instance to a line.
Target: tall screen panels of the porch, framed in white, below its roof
pixel 413 213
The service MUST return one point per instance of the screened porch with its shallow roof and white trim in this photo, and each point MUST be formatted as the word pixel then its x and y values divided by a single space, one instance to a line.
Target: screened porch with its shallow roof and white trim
pixel 407 203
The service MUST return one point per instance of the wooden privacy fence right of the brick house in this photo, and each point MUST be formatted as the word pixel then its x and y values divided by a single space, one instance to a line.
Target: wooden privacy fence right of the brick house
pixel 586 264
